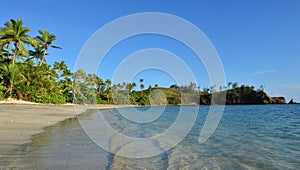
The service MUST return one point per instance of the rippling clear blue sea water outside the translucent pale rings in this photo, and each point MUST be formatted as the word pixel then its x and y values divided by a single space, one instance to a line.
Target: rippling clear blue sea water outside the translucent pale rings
pixel 247 137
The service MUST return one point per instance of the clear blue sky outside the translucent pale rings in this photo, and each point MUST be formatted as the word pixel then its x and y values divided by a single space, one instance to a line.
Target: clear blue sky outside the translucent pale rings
pixel 257 41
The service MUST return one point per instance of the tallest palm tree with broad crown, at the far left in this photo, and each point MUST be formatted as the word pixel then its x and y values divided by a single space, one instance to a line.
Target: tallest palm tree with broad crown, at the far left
pixel 15 33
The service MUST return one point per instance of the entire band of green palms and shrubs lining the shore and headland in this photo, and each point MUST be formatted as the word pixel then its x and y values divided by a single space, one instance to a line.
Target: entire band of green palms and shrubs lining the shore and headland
pixel 26 75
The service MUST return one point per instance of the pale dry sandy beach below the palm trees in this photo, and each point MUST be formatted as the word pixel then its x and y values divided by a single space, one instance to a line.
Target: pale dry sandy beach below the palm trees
pixel 21 120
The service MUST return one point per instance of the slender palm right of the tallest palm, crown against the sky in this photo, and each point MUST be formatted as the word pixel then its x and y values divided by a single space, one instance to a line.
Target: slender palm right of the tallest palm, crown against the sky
pixel 44 40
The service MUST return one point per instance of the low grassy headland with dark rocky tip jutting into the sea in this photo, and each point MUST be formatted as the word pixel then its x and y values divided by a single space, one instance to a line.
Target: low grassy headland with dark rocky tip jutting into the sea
pixel 237 96
